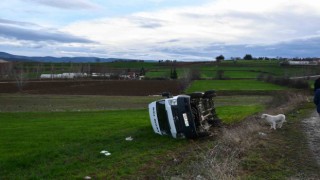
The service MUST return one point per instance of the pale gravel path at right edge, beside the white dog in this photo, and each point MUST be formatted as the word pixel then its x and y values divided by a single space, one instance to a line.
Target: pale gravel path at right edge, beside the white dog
pixel 312 129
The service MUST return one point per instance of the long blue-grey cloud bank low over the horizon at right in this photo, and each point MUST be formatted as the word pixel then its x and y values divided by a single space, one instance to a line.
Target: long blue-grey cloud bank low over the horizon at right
pixel 296 48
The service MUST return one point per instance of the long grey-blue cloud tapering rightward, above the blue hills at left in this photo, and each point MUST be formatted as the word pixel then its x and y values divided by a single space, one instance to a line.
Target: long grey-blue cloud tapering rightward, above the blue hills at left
pixel 39 35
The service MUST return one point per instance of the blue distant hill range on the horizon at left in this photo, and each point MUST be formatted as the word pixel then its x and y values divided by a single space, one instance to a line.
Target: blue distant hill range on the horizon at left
pixel 11 57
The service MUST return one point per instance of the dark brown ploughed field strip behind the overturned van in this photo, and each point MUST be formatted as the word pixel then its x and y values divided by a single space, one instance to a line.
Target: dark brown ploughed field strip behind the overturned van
pixel 110 87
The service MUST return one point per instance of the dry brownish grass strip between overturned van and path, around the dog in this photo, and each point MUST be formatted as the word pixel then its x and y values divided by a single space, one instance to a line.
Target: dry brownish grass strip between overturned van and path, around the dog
pixel 225 156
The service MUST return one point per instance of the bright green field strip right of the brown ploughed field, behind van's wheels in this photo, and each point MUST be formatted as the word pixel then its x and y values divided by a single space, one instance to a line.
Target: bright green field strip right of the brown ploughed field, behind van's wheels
pixel 203 85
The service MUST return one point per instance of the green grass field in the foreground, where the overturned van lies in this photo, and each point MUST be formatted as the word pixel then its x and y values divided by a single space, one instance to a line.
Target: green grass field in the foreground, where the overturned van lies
pixel 64 145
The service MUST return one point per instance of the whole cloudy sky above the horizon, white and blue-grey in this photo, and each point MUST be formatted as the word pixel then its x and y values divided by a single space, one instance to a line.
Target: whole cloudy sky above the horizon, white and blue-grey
pixel 160 29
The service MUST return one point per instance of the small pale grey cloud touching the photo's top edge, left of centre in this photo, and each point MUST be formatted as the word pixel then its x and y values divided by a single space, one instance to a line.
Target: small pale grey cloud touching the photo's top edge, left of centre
pixel 68 4
